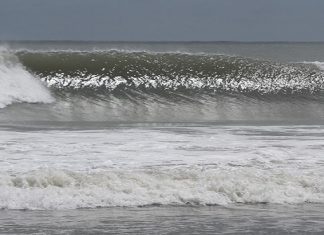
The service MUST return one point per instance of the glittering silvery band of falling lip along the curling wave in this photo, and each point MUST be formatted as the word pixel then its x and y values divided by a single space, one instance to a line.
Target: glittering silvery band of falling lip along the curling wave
pixel 159 83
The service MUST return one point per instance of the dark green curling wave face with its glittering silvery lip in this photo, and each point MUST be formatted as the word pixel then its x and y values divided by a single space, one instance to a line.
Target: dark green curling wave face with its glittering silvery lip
pixel 120 71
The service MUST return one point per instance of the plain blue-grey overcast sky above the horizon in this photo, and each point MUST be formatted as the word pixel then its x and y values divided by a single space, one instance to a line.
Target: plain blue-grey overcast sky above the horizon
pixel 162 20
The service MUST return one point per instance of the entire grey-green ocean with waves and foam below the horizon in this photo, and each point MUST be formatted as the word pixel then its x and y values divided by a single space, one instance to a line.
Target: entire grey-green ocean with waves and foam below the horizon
pixel 161 137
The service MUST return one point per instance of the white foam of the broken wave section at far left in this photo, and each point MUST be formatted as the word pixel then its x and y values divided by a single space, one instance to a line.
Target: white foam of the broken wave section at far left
pixel 18 85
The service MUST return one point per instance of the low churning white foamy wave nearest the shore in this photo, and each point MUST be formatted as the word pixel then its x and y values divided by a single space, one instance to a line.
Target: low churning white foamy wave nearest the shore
pixel 62 189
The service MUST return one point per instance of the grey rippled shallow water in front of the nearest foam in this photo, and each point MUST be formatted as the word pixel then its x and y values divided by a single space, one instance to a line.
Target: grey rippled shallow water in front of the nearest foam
pixel 240 219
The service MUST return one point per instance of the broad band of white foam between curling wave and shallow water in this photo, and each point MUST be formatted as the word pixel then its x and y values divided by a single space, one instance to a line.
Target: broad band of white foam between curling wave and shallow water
pixel 143 166
